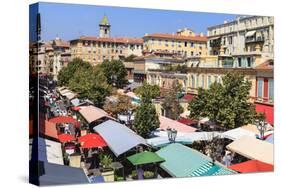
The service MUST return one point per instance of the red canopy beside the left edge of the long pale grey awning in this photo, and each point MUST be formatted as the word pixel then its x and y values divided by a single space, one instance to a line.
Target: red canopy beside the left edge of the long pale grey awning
pixel 92 141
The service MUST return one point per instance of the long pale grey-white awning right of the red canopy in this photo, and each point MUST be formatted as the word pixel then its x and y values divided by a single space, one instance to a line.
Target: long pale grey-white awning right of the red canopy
pixel 118 137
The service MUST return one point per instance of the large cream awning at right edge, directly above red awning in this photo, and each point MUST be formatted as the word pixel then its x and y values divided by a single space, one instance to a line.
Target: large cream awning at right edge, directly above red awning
pixel 253 148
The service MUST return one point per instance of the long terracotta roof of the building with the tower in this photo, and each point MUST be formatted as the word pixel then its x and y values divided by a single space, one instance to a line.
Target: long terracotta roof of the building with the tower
pixel 113 39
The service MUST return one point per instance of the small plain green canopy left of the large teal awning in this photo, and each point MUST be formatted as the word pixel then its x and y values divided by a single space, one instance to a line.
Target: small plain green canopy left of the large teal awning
pixel 145 157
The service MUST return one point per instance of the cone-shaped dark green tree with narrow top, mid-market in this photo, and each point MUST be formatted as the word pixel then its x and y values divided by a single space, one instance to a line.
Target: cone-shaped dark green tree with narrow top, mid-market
pixel 146 118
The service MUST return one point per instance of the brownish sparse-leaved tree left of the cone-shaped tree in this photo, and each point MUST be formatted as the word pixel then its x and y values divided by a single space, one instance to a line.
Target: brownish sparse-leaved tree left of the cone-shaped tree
pixel 121 105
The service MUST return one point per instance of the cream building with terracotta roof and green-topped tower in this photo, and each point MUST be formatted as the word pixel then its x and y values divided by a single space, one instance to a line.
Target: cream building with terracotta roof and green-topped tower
pixel 95 50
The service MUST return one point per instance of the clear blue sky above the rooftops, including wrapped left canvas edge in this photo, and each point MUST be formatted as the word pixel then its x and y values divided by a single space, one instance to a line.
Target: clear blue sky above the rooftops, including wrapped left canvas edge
pixel 70 21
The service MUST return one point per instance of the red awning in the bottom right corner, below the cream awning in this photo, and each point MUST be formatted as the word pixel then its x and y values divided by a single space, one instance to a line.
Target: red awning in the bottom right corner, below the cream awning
pixel 252 166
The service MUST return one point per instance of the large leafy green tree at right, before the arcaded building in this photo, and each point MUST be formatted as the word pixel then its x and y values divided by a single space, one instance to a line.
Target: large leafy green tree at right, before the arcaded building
pixel 226 104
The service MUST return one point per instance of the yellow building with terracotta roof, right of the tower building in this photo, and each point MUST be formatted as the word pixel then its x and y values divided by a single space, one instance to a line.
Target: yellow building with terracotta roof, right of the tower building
pixel 185 43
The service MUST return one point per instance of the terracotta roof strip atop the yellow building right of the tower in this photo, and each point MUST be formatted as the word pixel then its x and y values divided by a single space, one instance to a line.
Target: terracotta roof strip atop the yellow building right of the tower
pixel 177 37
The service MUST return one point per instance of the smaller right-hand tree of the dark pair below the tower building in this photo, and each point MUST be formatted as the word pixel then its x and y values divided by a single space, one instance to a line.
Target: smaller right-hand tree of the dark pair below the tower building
pixel 114 71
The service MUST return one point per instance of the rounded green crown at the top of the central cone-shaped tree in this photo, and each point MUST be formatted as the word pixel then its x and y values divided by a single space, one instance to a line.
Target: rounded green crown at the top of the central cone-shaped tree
pixel 148 92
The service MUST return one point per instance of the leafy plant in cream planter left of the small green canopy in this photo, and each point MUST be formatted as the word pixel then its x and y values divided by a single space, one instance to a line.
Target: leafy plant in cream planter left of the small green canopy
pixel 107 172
